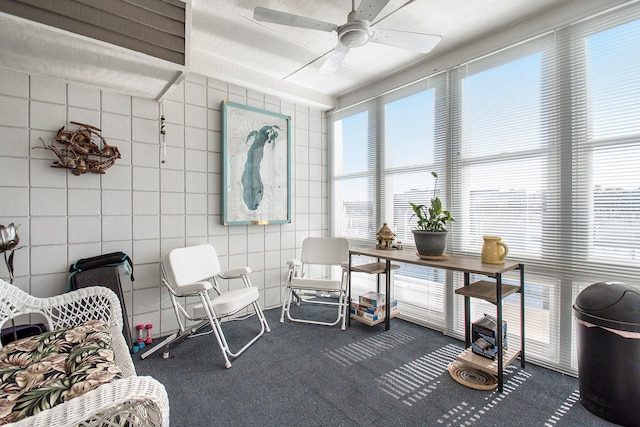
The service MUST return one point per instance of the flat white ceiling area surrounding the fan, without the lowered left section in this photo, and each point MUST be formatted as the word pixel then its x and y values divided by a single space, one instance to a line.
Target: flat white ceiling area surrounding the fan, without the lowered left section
pixel 225 32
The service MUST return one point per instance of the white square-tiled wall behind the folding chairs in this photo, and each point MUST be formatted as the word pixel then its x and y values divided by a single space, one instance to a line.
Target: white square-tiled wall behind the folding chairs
pixel 141 206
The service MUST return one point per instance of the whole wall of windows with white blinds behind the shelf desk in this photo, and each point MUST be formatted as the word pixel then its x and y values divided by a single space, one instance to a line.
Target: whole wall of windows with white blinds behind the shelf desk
pixel 538 143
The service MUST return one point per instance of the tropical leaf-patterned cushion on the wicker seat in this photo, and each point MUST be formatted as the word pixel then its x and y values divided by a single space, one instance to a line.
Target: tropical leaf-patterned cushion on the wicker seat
pixel 39 372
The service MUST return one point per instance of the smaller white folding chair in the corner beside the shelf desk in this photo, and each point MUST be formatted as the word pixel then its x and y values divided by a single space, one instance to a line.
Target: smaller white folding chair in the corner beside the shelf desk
pixel 318 254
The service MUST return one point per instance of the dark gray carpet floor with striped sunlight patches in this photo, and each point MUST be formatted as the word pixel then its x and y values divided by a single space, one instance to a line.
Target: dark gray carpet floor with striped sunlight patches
pixel 306 375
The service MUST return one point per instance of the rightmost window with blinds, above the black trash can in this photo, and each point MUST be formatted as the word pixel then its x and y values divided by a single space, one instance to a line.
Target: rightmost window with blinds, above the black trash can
pixel 610 144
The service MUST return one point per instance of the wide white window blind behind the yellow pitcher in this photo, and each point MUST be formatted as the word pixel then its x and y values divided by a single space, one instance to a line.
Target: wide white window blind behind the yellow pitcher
pixel 505 177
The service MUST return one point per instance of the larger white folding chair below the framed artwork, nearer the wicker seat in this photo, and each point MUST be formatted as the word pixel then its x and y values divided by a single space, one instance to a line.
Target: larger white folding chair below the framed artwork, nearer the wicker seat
pixel 194 271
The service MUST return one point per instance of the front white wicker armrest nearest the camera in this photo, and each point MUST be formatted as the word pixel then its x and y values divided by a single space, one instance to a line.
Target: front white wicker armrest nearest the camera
pixel 142 401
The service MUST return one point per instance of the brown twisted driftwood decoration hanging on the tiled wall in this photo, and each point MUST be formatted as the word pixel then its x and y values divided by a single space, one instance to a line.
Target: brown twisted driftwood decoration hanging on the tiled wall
pixel 82 150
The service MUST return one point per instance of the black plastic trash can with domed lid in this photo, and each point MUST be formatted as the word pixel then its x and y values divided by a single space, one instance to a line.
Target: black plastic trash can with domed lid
pixel 608 326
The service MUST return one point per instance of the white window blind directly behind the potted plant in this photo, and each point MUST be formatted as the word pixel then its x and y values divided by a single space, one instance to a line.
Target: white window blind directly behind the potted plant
pixel 412 142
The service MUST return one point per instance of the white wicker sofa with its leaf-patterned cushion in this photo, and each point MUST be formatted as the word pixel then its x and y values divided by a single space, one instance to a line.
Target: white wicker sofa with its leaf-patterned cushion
pixel 123 398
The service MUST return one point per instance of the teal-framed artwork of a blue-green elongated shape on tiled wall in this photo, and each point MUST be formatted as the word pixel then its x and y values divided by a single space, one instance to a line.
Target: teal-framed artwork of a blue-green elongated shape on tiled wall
pixel 256 166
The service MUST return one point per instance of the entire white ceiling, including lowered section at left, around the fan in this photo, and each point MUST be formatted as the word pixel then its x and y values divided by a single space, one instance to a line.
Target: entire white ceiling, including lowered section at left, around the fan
pixel 226 43
